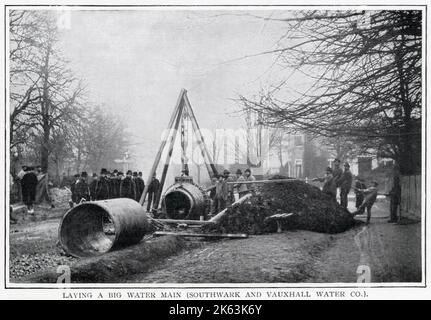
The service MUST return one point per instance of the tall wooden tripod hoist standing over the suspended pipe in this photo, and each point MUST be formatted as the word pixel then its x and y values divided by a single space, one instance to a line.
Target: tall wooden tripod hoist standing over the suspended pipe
pixel 182 109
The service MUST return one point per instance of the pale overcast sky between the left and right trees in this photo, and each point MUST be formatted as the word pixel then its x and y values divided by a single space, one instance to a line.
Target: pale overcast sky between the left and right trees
pixel 136 62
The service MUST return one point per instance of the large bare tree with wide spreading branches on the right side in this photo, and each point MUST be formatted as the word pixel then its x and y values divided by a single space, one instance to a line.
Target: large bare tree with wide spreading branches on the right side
pixel 364 70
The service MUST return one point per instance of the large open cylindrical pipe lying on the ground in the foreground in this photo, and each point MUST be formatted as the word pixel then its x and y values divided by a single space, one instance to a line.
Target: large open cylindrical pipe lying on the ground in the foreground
pixel 94 228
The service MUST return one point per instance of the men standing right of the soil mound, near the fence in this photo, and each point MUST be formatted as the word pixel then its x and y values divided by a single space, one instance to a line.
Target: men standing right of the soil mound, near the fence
pixel 337 178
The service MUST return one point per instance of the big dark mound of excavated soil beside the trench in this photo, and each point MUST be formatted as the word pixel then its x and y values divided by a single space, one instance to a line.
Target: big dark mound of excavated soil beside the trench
pixel 313 210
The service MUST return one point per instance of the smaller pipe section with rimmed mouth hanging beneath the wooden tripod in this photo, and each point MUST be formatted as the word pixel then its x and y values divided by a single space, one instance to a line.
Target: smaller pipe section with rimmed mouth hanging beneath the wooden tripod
pixel 185 201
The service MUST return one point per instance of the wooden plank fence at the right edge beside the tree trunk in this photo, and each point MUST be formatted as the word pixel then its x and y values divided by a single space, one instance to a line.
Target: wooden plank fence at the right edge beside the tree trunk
pixel 410 196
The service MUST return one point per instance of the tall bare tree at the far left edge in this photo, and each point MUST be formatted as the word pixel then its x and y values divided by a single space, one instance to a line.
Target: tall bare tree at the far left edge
pixel 44 91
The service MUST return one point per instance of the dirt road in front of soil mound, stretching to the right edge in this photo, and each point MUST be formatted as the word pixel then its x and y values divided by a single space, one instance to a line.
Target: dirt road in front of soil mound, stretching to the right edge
pixel 386 252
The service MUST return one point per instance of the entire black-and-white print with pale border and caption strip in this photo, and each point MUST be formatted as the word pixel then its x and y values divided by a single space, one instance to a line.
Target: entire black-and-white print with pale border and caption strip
pixel 261 151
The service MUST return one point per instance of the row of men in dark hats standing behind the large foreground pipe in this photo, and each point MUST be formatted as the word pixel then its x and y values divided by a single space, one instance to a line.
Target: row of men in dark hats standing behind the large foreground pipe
pixel 111 185
